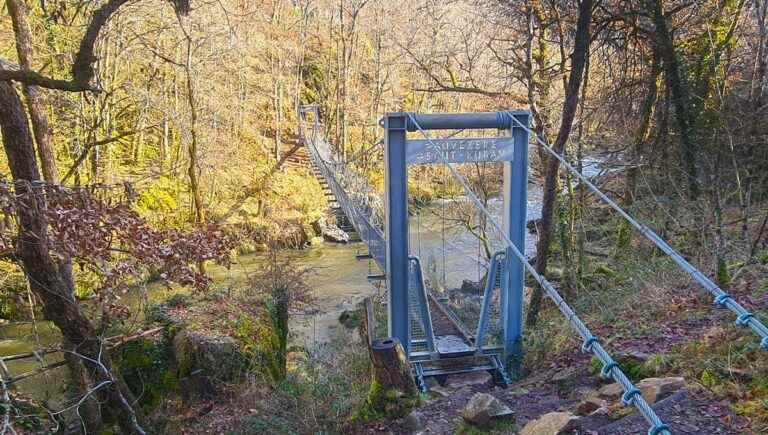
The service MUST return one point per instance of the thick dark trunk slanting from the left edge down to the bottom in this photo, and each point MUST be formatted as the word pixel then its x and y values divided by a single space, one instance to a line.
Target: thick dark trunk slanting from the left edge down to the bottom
pixel 46 278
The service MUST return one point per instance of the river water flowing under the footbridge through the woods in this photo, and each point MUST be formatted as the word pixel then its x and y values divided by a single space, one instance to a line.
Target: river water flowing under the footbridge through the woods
pixel 339 283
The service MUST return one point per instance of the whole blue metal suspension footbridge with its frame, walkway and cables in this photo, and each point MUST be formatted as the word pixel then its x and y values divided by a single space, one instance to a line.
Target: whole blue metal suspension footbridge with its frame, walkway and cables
pixel 436 339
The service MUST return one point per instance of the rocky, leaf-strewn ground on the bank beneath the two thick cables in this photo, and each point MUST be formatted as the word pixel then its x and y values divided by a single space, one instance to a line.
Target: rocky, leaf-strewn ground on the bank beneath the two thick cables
pixel 567 396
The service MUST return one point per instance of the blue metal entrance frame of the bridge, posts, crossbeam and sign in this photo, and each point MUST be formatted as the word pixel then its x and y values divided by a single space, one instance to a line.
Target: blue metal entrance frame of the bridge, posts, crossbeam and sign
pixel 398 152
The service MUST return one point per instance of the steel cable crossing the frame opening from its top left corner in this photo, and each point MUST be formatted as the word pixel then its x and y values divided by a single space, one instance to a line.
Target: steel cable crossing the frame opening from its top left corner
pixel 611 369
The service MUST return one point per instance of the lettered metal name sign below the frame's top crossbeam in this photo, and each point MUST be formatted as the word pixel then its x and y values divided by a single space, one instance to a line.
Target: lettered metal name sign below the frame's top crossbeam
pixel 460 150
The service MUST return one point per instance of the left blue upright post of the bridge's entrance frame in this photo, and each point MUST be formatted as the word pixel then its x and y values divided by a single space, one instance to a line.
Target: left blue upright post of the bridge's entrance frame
pixel 396 231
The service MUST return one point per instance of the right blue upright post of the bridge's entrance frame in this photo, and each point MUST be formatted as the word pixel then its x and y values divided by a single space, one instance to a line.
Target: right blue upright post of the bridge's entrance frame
pixel 514 224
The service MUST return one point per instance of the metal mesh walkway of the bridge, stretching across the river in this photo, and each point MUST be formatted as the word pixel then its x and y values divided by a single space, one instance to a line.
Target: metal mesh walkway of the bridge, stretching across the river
pixel 439 344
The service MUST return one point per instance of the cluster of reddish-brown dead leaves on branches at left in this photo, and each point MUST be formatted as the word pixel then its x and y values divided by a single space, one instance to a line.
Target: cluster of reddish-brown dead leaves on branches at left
pixel 116 241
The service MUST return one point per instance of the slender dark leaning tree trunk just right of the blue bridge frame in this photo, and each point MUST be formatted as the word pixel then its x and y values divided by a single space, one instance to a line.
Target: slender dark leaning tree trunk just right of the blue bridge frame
pixel 578 62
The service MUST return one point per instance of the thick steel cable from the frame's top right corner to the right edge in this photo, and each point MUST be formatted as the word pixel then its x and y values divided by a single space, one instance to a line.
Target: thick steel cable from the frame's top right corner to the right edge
pixel 722 299
